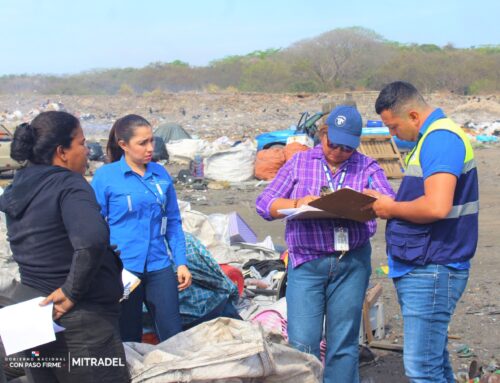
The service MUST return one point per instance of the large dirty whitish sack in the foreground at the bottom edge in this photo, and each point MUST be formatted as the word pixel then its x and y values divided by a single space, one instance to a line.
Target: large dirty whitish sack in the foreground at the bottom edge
pixel 222 350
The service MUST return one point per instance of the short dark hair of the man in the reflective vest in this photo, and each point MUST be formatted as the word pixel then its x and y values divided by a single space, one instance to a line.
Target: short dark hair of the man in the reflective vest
pixel 396 95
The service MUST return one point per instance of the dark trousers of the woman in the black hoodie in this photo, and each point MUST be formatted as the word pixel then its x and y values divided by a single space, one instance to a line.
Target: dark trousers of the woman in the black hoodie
pixel 91 337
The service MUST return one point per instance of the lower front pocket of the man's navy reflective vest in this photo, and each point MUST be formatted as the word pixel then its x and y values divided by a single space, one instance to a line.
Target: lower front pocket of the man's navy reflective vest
pixel 408 242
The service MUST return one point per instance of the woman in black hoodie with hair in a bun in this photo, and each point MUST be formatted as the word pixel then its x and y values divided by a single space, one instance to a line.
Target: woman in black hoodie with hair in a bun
pixel 61 244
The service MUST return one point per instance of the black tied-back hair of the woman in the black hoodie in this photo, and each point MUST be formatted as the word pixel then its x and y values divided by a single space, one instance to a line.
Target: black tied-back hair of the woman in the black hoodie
pixel 37 141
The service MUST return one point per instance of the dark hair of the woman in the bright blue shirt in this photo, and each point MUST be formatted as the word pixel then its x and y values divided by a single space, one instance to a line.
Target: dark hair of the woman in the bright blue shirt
pixel 123 129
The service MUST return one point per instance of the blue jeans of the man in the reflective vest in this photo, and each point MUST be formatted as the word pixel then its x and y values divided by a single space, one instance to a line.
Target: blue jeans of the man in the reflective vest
pixel 428 296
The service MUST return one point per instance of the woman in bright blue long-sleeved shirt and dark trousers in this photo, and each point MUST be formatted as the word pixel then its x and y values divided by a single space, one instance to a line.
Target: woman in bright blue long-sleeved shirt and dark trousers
pixel 138 199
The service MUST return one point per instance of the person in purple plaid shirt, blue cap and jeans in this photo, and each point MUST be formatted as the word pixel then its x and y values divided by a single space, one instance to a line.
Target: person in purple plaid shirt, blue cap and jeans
pixel 329 259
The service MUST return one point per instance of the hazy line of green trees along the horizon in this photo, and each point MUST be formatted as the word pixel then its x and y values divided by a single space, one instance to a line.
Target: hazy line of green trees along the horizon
pixel 342 59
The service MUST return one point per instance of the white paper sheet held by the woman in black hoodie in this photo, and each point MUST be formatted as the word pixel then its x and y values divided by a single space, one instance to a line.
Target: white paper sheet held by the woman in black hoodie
pixel 26 325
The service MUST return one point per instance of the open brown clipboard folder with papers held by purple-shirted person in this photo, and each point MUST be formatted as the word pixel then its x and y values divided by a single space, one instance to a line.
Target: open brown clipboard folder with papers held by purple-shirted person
pixel 344 203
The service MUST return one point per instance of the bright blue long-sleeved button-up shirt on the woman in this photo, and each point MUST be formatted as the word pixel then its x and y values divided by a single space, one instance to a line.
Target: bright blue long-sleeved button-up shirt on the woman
pixel 134 207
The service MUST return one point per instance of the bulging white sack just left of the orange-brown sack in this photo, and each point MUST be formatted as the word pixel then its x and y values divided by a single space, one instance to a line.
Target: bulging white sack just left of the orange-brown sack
pixel 232 165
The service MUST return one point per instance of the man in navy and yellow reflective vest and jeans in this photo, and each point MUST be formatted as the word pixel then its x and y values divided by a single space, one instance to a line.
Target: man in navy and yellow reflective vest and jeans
pixel 432 227
